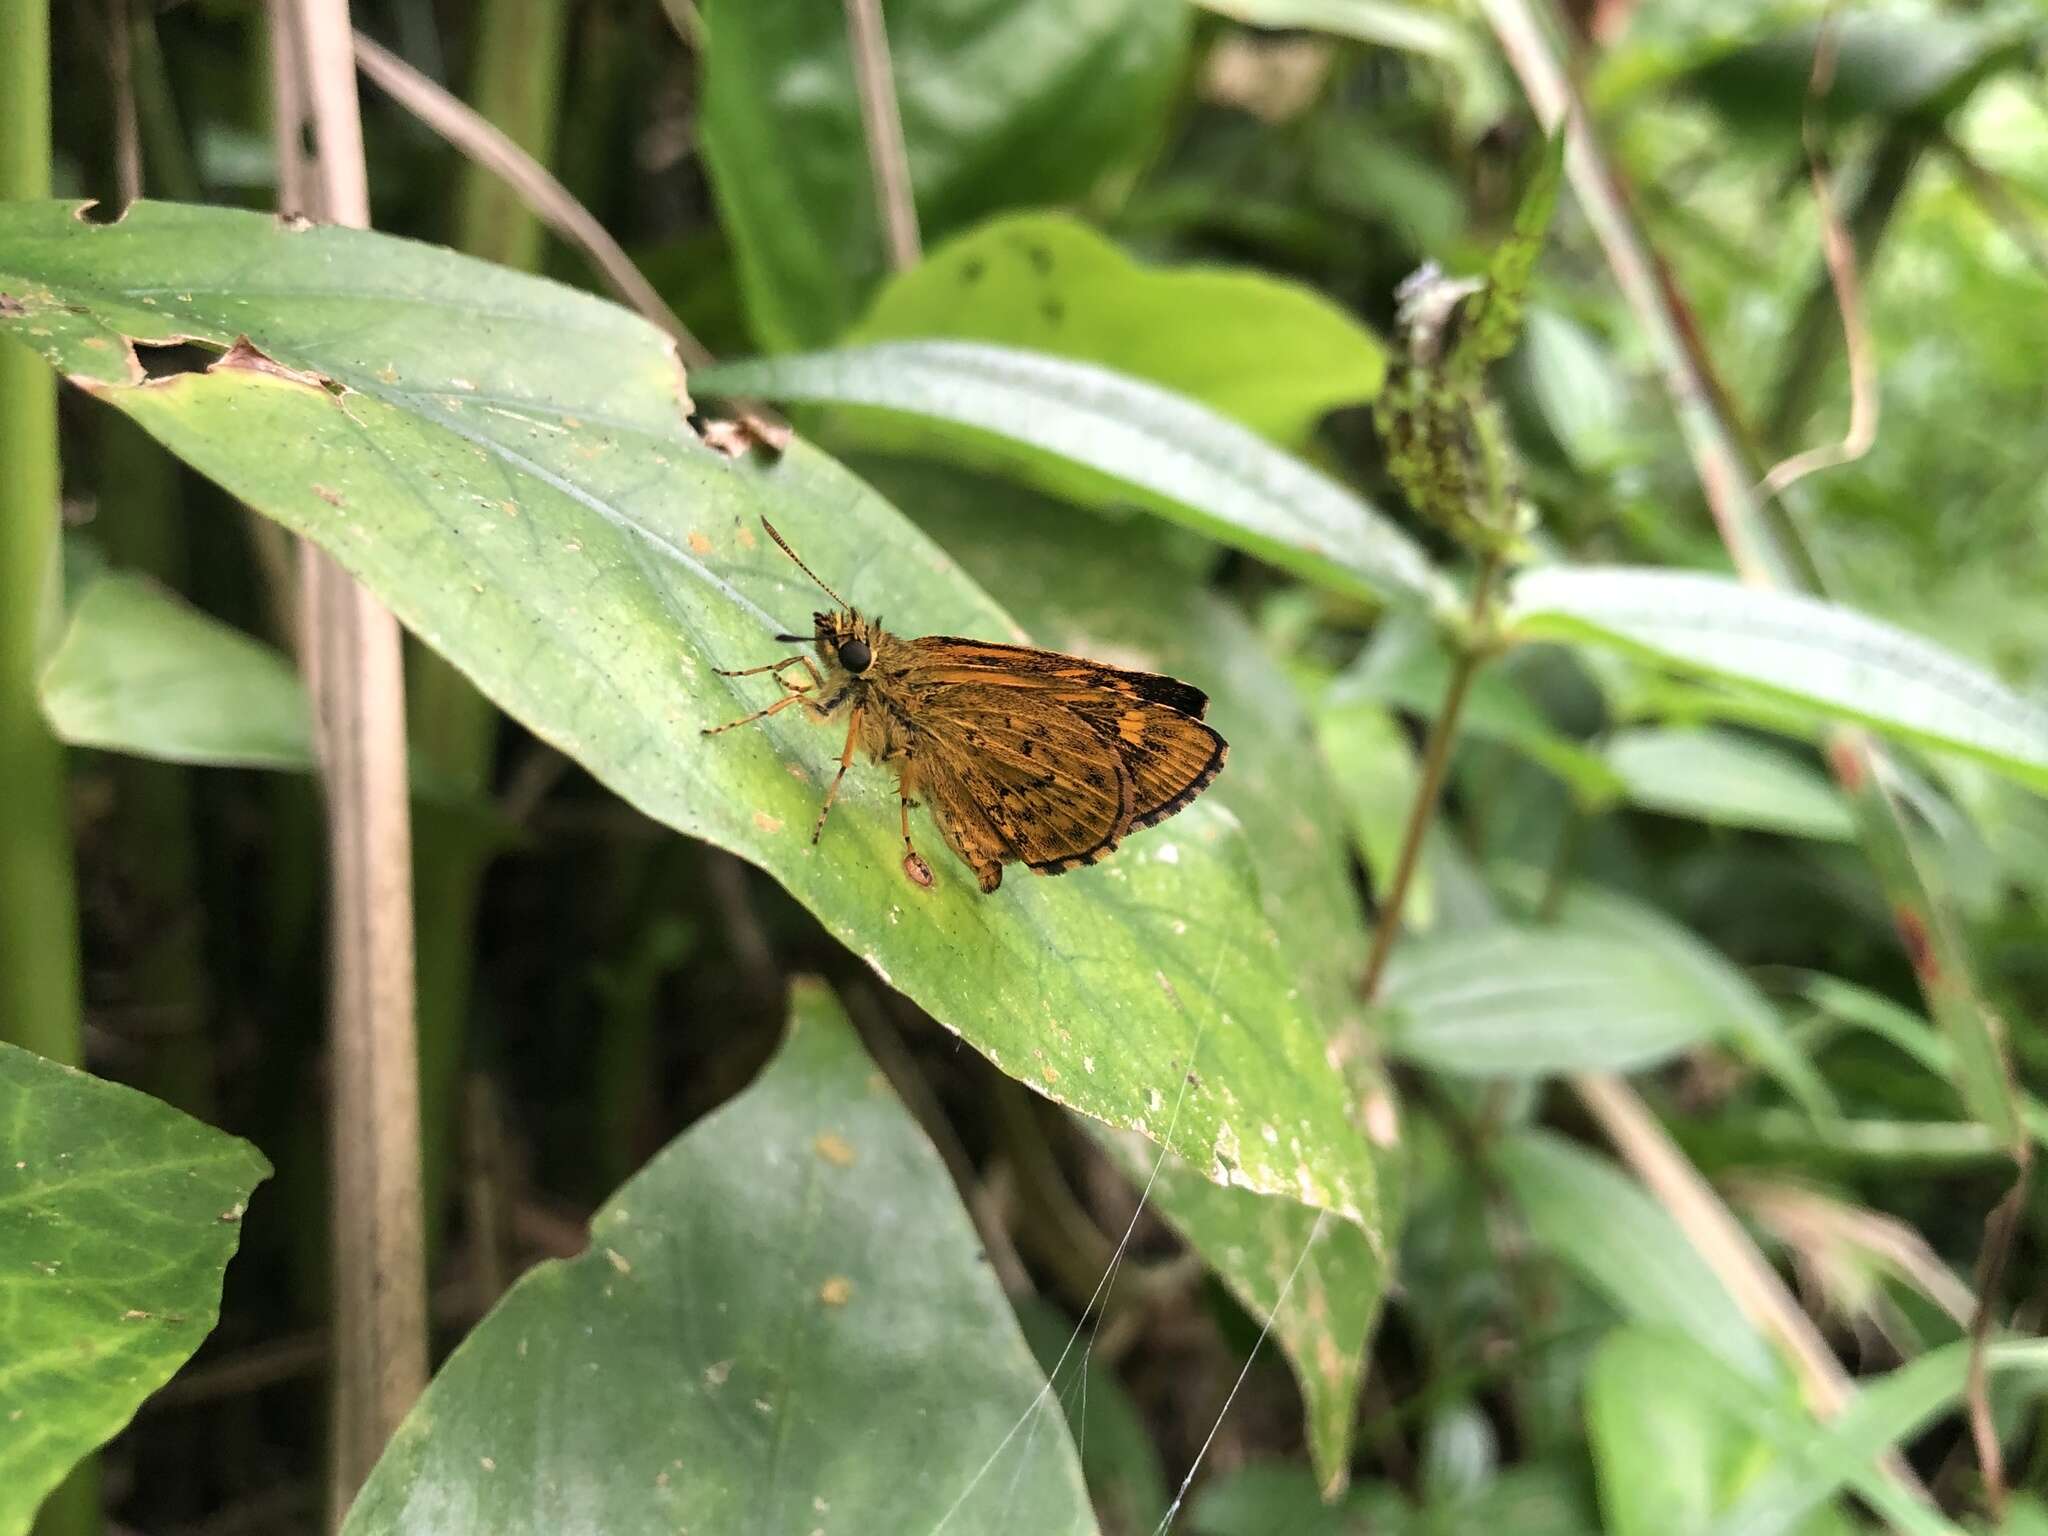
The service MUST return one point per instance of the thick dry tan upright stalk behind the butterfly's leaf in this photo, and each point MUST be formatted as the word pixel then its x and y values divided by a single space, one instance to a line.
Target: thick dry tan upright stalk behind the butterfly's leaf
pixel 359 712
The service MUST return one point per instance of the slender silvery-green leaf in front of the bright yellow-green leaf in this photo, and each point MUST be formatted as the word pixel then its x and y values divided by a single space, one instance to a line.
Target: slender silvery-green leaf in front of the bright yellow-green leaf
pixel 1166 452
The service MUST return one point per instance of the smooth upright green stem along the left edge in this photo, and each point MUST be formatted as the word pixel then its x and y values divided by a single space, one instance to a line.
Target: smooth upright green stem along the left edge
pixel 40 976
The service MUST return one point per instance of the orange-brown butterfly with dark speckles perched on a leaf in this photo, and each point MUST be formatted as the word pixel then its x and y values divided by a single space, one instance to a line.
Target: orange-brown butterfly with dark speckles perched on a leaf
pixel 1023 757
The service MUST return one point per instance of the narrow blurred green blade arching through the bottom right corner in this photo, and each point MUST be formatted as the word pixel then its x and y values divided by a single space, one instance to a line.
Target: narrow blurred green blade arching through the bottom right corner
pixel 1885 1414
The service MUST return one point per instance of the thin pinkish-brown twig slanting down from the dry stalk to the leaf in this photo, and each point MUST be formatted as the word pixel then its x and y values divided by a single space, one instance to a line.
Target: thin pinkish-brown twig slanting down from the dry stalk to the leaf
pixel 538 187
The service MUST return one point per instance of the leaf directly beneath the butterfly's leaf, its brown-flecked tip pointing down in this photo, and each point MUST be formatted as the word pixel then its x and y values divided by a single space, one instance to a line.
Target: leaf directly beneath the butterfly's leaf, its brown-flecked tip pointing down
pixel 1115 593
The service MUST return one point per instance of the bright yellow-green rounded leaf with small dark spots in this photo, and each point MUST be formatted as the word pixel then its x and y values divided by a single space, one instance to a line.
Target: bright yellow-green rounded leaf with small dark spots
pixel 1267 353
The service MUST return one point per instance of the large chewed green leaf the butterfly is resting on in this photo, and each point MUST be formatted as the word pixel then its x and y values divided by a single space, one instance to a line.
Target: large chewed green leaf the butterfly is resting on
pixel 544 517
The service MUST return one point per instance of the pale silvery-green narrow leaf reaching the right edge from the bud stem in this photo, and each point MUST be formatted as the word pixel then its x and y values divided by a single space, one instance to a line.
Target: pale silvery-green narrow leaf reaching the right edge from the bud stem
pixel 1795 648
